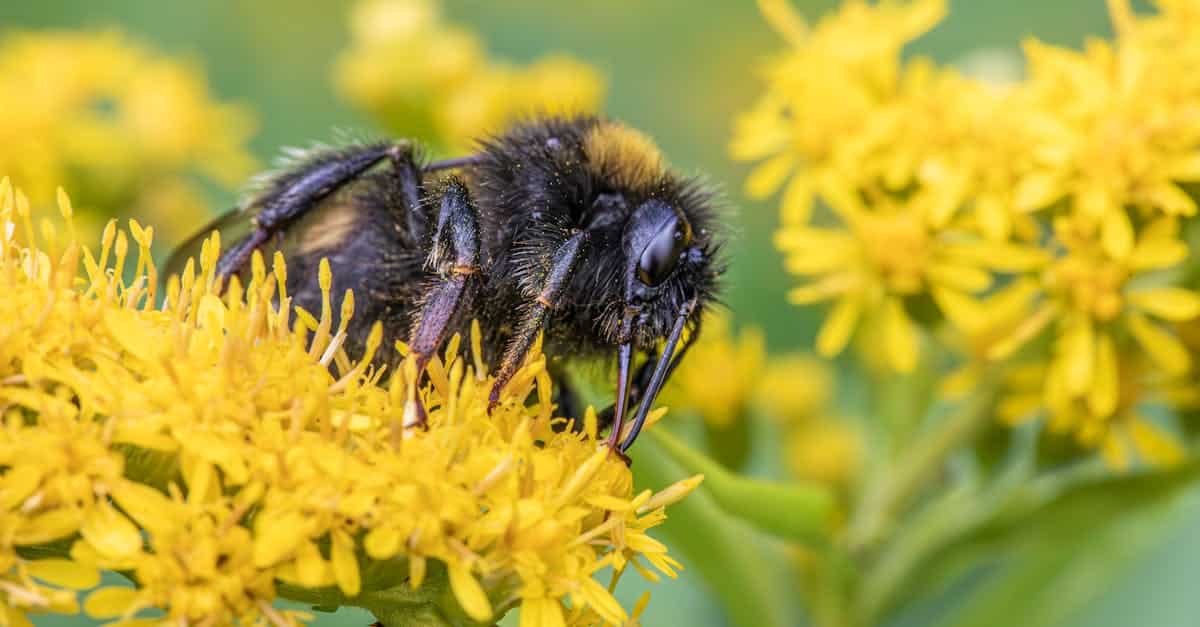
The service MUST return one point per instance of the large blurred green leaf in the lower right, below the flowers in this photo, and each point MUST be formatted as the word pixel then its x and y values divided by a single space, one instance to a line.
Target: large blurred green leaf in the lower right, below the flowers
pixel 1057 546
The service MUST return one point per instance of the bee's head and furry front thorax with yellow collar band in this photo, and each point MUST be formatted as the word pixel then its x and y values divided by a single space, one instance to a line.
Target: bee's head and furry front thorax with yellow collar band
pixel 652 265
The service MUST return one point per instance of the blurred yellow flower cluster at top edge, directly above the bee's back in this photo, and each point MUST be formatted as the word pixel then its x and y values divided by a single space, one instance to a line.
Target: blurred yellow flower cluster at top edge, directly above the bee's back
pixel 422 77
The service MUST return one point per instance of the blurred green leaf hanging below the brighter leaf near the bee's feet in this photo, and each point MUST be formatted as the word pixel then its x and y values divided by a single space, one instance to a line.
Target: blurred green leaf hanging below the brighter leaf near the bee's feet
pixel 747 572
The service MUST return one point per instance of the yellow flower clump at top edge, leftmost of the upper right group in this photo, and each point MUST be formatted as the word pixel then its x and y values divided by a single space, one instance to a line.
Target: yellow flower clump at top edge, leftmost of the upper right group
pixel 825 91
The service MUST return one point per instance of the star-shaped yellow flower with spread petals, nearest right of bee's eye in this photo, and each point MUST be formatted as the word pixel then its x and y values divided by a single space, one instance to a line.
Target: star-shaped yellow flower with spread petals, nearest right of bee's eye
pixel 885 255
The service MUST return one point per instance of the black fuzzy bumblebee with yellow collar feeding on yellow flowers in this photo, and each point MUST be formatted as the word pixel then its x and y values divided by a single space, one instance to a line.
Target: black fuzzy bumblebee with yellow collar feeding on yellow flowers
pixel 572 228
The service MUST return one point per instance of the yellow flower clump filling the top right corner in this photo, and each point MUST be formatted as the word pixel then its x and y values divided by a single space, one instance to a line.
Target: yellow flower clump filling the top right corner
pixel 1125 130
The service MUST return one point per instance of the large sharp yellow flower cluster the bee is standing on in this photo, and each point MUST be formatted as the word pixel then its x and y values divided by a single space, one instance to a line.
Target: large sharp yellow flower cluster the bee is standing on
pixel 201 445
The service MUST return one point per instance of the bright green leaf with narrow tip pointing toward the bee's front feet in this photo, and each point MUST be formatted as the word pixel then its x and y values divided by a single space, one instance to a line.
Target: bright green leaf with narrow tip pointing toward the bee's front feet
pixel 795 511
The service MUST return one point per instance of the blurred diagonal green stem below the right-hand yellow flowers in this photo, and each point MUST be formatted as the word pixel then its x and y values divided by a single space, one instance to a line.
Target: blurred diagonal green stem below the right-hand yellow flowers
pixel 889 498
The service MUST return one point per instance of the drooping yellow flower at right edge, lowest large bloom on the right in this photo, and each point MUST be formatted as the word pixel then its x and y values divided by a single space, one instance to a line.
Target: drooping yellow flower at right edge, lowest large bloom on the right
pixel 1113 343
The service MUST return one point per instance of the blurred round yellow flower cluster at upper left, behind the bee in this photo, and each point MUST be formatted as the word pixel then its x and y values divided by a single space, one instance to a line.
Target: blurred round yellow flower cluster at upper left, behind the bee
pixel 124 128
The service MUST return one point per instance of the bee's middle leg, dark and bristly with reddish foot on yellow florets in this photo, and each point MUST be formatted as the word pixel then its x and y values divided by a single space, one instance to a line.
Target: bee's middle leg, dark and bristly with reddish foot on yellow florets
pixel 454 259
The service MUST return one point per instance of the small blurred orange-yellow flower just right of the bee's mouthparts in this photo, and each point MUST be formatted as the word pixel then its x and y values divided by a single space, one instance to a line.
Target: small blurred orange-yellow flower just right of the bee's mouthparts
pixel 719 378
